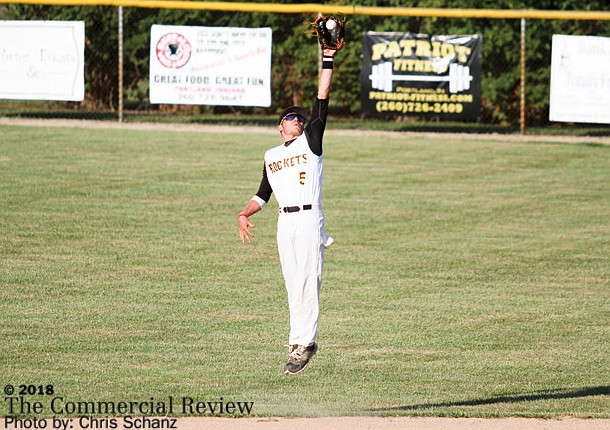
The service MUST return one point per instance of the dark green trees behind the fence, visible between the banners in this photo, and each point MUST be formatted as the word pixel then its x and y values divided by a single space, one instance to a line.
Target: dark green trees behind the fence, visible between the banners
pixel 295 59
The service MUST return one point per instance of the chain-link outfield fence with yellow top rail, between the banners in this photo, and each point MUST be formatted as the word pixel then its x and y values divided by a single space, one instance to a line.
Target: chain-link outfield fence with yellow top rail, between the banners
pixel 515 67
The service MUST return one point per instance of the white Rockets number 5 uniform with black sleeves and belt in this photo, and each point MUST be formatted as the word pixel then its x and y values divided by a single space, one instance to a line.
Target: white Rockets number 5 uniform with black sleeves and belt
pixel 293 171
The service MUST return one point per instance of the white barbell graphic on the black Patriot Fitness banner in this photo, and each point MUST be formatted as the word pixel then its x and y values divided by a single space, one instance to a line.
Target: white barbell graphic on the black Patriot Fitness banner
pixel 382 77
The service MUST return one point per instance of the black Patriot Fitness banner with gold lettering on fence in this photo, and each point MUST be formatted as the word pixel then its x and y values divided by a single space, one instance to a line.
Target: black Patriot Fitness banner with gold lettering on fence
pixel 417 74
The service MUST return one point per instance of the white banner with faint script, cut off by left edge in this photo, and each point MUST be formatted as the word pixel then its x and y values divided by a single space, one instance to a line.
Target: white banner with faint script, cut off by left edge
pixel 42 60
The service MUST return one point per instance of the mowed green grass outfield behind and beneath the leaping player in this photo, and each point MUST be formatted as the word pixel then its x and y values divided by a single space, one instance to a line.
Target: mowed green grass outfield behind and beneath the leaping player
pixel 468 278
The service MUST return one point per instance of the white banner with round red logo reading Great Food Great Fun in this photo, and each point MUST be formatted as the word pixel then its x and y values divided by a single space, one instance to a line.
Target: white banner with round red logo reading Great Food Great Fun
pixel 221 66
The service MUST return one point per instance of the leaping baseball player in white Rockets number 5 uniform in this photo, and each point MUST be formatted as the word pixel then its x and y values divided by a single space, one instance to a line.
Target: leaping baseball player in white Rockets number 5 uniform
pixel 293 171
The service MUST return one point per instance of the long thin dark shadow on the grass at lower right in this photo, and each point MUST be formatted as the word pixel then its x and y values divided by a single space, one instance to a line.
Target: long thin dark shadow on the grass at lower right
pixel 558 393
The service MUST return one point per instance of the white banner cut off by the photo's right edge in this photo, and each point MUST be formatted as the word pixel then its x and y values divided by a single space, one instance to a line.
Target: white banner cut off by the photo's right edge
pixel 580 79
